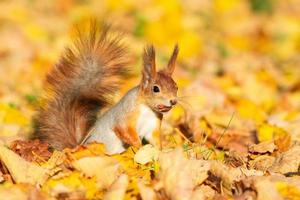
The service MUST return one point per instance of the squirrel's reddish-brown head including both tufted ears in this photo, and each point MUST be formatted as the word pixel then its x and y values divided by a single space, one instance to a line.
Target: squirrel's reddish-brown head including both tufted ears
pixel 158 89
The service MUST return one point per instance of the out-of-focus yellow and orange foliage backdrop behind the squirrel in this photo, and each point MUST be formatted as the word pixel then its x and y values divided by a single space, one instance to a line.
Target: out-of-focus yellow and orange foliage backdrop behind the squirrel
pixel 236 56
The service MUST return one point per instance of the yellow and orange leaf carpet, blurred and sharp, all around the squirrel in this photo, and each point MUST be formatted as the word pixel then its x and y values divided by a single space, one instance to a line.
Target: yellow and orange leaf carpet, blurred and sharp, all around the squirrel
pixel 235 133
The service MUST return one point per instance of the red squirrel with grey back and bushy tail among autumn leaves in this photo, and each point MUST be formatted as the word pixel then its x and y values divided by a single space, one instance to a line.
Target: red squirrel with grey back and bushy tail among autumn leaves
pixel 81 85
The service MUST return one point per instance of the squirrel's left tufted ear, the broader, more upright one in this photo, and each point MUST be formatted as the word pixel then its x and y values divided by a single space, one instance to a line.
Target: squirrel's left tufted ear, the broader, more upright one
pixel 149 70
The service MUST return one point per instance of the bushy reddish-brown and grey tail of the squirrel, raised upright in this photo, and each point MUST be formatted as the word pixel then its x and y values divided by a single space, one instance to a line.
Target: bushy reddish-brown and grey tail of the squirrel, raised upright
pixel 79 85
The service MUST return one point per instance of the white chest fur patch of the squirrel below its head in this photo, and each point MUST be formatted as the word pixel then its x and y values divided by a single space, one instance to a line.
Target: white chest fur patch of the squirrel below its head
pixel 147 122
